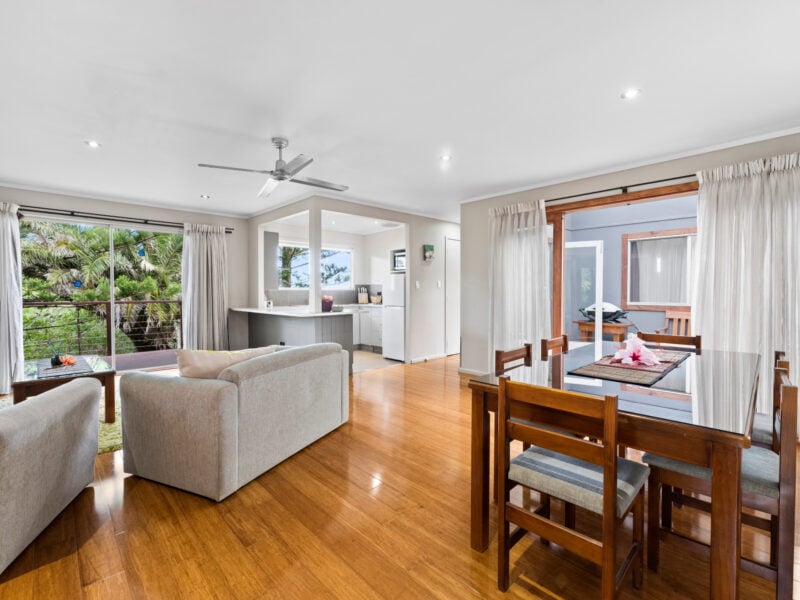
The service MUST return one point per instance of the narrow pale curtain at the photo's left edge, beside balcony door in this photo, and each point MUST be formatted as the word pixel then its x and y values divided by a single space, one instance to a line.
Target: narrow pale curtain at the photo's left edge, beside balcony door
pixel 11 349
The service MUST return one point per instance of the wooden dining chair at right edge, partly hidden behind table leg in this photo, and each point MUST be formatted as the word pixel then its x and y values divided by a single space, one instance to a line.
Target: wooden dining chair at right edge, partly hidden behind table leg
pixel 768 486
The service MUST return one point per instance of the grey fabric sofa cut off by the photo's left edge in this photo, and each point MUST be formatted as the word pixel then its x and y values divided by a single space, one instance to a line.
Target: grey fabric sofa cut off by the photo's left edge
pixel 48 445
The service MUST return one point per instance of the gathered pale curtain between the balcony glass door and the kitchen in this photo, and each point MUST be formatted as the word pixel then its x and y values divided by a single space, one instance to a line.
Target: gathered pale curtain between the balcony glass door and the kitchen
pixel 205 288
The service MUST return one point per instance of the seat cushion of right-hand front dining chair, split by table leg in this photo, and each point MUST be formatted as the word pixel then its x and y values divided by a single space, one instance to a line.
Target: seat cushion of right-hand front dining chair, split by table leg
pixel 760 470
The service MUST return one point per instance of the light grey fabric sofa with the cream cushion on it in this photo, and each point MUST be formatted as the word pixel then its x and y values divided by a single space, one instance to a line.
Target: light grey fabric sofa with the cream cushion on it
pixel 212 436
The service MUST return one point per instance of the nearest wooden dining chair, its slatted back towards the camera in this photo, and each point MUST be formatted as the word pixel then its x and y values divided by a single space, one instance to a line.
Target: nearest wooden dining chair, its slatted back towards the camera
pixel 572 468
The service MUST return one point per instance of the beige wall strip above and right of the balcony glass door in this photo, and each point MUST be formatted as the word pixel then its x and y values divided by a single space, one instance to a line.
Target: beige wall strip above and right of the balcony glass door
pixel 238 251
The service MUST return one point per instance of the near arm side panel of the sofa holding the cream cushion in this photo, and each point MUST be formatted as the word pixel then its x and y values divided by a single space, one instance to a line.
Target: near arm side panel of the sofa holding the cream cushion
pixel 181 432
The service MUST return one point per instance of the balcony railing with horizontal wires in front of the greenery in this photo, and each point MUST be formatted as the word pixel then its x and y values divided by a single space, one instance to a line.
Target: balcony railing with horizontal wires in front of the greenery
pixel 145 328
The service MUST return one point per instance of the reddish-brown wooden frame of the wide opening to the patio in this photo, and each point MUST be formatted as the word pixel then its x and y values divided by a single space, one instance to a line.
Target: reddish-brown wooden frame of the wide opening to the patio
pixel 555 217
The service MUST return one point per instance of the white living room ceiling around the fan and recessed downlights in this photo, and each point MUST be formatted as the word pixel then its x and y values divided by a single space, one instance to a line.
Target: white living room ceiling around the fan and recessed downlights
pixel 520 92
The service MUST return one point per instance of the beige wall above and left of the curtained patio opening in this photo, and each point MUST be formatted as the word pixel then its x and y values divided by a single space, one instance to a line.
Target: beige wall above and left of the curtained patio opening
pixel 476 348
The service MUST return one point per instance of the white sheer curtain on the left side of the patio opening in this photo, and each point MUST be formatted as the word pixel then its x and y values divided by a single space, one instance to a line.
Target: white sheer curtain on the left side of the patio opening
pixel 520 276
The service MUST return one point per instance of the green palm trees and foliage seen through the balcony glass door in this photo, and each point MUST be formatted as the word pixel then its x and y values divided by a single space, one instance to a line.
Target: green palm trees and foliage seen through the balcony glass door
pixel 63 262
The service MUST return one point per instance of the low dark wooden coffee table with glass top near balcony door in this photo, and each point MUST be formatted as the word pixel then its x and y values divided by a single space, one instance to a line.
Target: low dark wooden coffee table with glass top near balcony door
pixel 40 378
